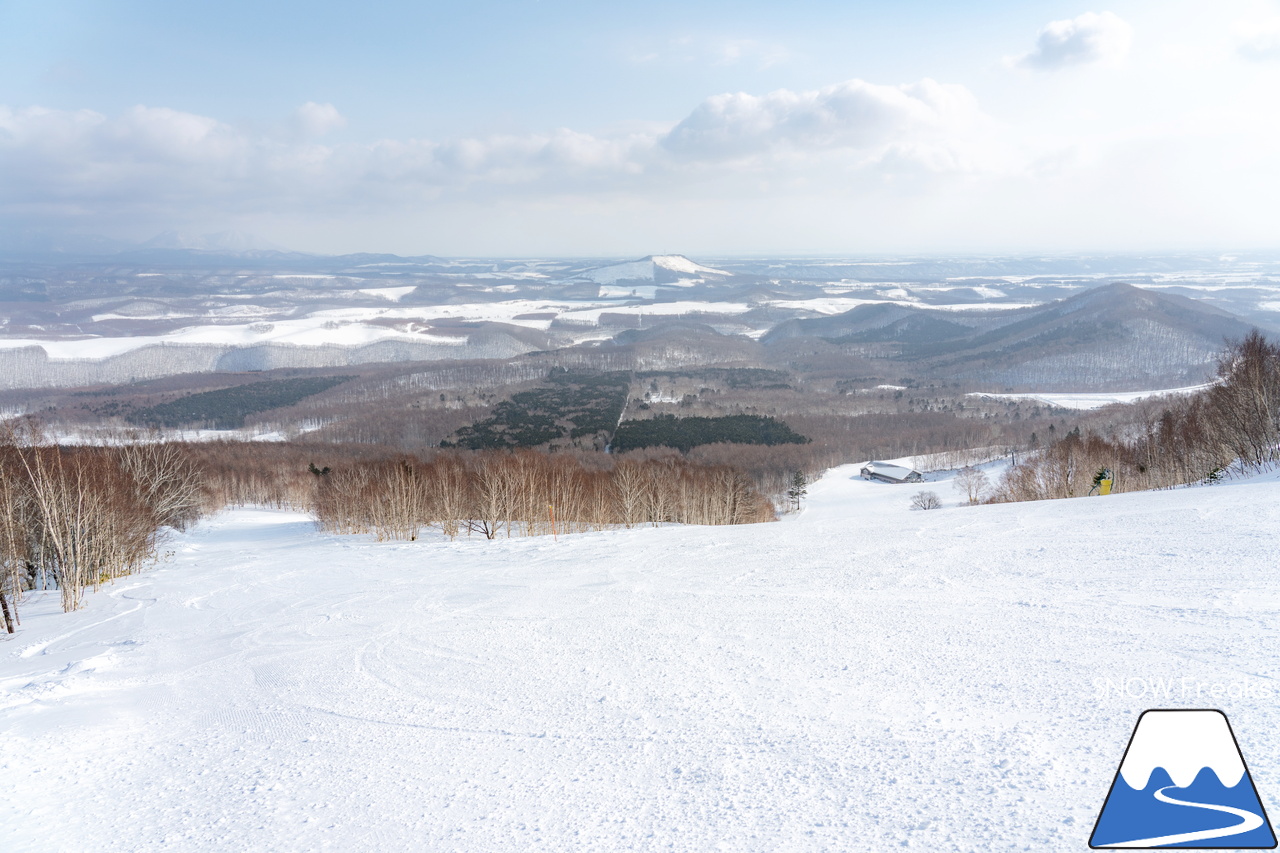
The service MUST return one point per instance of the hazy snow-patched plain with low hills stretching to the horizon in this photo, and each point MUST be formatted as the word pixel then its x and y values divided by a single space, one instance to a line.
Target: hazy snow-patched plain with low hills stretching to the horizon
pixel 228 302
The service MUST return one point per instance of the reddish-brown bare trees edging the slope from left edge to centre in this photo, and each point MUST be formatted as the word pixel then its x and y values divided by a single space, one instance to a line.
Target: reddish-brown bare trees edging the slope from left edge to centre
pixel 76 518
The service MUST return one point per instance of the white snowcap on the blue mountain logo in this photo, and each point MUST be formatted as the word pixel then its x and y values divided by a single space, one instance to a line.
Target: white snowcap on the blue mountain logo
pixel 1183 743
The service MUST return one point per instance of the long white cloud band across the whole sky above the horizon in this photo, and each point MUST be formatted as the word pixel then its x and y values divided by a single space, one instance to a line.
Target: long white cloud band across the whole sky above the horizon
pixel 913 167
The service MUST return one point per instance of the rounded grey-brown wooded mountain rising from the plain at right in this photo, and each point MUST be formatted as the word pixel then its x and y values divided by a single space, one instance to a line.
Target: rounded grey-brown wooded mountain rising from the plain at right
pixel 1107 336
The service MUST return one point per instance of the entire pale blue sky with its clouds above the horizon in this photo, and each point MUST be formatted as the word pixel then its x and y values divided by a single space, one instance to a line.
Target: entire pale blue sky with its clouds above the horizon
pixel 589 129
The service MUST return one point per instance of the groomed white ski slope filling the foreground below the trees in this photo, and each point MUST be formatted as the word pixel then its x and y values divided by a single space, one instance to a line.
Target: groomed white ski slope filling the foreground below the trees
pixel 858 677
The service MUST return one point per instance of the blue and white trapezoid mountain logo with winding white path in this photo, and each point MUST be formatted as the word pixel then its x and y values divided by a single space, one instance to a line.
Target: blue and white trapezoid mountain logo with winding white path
pixel 1183 784
